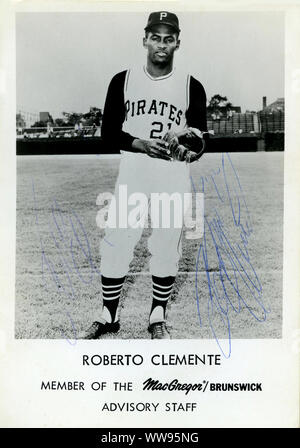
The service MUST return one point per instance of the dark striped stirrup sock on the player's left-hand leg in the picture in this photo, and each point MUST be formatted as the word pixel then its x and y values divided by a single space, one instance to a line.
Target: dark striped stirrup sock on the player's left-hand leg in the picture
pixel 111 291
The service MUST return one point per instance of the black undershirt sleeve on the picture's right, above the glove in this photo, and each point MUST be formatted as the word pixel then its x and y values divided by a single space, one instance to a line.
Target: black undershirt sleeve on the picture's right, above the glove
pixel 196 112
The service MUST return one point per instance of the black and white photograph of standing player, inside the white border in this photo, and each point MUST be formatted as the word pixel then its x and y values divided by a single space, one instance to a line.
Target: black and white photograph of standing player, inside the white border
pixel 183 109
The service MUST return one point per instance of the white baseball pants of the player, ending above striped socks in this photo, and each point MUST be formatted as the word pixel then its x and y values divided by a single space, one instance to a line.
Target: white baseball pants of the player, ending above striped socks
pixel 143 174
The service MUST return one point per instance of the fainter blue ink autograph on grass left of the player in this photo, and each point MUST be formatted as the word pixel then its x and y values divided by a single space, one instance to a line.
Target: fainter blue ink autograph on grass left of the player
pixel 66 236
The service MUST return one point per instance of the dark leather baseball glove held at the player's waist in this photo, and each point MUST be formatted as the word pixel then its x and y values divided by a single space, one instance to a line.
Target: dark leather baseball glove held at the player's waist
pixel 187 146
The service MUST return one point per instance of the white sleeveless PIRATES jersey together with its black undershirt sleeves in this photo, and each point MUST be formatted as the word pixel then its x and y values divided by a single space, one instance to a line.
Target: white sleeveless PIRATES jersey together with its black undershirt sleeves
pixel 140 106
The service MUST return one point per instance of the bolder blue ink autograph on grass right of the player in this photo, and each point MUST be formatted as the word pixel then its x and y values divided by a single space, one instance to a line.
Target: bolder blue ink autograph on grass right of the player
pixel 234 273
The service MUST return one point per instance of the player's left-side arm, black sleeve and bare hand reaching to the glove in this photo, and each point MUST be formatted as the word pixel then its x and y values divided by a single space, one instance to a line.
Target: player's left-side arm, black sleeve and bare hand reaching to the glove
pixel 113 118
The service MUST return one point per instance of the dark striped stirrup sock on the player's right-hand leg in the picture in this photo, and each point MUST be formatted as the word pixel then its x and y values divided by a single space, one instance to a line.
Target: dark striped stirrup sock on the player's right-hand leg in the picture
pixel 162 288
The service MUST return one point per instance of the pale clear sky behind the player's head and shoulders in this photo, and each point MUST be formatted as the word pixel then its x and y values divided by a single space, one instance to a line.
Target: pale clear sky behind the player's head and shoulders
pixel 65 60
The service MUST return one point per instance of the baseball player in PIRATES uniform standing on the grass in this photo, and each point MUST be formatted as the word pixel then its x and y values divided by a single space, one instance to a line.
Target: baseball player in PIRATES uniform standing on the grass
pixel 155 115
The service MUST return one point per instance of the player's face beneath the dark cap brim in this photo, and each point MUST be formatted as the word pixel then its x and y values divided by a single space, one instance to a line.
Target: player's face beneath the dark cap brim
pixel 161 42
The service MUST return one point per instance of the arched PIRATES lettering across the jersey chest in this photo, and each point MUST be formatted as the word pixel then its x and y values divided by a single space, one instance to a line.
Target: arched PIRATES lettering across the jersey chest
pixel 154 107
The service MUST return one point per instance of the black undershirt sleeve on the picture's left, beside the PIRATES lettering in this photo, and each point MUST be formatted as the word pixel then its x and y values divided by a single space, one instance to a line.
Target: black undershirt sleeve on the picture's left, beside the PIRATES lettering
pixel 113 118
